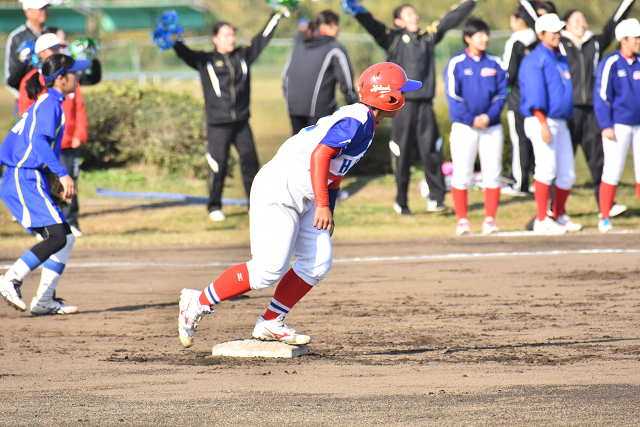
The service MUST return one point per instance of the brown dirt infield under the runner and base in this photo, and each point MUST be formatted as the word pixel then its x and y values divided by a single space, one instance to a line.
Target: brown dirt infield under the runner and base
pixel 519 337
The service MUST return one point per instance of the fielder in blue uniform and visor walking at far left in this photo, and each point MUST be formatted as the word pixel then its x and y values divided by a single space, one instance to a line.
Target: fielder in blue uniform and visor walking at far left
pixel 30 151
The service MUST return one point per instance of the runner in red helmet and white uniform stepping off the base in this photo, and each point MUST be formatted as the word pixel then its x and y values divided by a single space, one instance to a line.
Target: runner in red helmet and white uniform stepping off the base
pixel 292 202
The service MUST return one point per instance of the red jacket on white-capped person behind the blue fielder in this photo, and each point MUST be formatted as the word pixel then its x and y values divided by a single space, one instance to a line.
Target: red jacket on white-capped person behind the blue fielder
pixel 74 112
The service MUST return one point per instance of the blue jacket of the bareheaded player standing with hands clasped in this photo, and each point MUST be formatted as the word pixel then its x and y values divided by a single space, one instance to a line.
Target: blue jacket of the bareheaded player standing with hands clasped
pixel 475 85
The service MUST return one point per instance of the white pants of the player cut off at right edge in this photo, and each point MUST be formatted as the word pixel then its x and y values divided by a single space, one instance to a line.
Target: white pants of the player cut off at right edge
pixel 615 153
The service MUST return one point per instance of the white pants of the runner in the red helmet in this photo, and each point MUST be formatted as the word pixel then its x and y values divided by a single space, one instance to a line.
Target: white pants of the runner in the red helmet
pixel 281 225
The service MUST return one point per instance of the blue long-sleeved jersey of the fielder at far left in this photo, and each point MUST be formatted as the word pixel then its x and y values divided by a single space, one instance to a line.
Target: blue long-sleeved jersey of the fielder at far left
pixel 35 141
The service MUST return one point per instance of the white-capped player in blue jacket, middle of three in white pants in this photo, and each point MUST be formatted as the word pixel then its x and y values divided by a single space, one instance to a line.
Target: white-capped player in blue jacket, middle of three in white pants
pixel 547 105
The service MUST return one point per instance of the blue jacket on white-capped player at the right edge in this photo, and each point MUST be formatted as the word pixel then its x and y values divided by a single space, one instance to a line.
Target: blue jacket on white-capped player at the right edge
pixel 617 91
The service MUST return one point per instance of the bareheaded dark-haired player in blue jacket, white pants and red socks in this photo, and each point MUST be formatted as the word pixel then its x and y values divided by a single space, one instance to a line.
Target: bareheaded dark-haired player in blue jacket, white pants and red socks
pixel 476 88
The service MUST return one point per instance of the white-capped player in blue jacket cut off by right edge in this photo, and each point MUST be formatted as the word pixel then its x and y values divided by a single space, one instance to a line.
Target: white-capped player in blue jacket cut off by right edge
pixel 617 106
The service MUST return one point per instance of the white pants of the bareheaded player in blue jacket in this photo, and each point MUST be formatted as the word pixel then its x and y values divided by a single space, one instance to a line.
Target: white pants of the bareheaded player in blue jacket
pixel 467 143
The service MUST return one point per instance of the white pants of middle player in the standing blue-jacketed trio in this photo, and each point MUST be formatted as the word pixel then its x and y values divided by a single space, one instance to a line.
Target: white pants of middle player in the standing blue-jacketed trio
pixel 554 160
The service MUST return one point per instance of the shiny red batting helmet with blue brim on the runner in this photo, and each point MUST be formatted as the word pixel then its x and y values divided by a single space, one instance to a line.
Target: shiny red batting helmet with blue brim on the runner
pixel 381 86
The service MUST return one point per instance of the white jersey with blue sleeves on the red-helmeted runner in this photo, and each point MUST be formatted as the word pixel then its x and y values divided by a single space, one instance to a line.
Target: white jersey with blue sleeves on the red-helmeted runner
pixel 351 129
